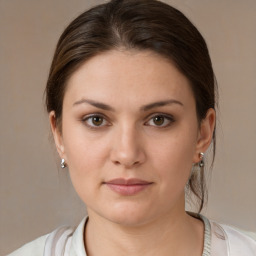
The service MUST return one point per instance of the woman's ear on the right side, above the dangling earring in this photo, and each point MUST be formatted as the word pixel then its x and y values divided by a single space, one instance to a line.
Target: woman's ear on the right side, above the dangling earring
pixel 205 134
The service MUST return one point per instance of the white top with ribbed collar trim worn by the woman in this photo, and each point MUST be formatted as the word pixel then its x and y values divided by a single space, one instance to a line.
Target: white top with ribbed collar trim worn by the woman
pixel 219 240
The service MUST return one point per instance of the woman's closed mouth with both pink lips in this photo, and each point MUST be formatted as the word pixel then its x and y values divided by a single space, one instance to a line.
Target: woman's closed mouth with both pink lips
pixel 127 187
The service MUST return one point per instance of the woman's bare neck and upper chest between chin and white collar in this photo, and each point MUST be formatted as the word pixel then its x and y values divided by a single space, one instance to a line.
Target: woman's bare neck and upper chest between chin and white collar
pixel 171 234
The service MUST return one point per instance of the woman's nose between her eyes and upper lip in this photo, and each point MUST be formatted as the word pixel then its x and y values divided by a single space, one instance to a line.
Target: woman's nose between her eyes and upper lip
pixel 127 148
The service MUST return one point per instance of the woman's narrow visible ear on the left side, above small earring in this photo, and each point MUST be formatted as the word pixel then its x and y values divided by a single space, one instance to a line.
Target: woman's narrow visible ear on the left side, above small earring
pixel 57 135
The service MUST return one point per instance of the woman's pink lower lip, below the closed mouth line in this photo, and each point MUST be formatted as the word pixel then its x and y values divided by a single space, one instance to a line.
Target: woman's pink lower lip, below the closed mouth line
pixel 128 190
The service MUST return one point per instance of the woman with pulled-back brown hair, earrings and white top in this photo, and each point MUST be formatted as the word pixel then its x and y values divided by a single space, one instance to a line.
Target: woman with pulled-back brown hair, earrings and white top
pixel 131 98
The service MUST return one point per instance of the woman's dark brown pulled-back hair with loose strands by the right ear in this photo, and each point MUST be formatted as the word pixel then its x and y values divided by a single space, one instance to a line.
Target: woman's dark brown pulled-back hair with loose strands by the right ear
pixel 140 25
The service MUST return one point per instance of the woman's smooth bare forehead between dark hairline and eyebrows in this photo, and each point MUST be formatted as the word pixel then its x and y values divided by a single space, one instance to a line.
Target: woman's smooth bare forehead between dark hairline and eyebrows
pixel 128 77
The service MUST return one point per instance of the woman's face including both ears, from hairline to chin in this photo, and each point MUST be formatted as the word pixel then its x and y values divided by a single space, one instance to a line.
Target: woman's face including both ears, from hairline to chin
pixel 130 135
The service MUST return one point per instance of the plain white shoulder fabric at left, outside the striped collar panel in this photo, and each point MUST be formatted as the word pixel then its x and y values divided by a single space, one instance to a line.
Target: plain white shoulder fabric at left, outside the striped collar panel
pixel 34 248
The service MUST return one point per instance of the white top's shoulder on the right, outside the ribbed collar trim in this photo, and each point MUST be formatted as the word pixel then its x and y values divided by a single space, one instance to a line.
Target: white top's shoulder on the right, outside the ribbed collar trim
pixel 232 240
